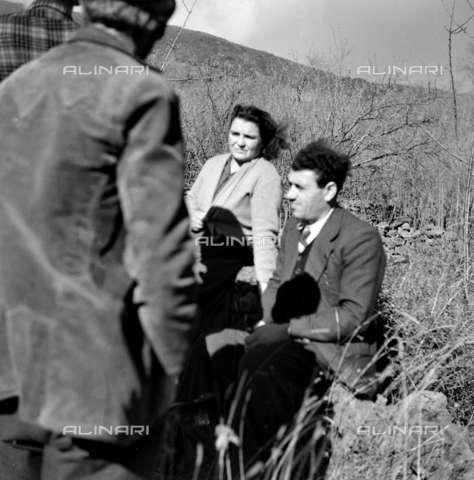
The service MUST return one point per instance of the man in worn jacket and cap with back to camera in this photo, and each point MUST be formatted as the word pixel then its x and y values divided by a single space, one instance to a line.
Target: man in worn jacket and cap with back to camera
pixel 95 253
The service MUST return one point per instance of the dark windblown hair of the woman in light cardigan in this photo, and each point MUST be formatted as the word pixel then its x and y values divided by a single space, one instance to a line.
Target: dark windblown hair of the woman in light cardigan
pixel 273 134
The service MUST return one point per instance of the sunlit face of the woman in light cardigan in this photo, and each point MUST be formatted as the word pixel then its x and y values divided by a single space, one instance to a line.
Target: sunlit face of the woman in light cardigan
pixel 245 142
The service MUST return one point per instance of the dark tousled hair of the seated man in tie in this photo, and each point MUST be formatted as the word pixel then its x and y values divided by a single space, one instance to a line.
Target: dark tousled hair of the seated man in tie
pixel 327 164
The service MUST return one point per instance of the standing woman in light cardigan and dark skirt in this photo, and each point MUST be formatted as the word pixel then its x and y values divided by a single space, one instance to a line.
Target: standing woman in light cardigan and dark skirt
pixel 234 206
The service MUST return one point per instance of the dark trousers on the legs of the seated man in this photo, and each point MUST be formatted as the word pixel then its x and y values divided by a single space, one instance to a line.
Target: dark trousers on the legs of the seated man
pixel 255 391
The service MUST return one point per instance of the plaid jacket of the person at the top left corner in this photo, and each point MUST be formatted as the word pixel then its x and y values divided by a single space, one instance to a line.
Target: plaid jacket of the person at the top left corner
pixel 26 35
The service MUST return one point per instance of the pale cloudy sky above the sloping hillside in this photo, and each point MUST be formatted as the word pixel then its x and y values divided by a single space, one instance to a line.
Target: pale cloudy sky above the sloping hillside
pixel 380 33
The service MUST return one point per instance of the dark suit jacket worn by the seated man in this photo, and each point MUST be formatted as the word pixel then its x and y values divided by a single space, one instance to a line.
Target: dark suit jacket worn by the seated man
pixel 341 279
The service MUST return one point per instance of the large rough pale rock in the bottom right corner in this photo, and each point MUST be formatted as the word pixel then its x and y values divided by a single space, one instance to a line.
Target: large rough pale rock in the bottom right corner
pixel 415 435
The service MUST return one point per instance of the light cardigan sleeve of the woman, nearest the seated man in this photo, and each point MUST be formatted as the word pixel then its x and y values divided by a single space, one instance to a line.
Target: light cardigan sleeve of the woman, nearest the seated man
pixel 265 210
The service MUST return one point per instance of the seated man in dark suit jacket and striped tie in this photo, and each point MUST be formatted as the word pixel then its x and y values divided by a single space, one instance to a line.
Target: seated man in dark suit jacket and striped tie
pixel 318 308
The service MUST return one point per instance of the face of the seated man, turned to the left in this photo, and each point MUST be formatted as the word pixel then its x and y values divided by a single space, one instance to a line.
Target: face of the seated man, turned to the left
pixel 309 201
